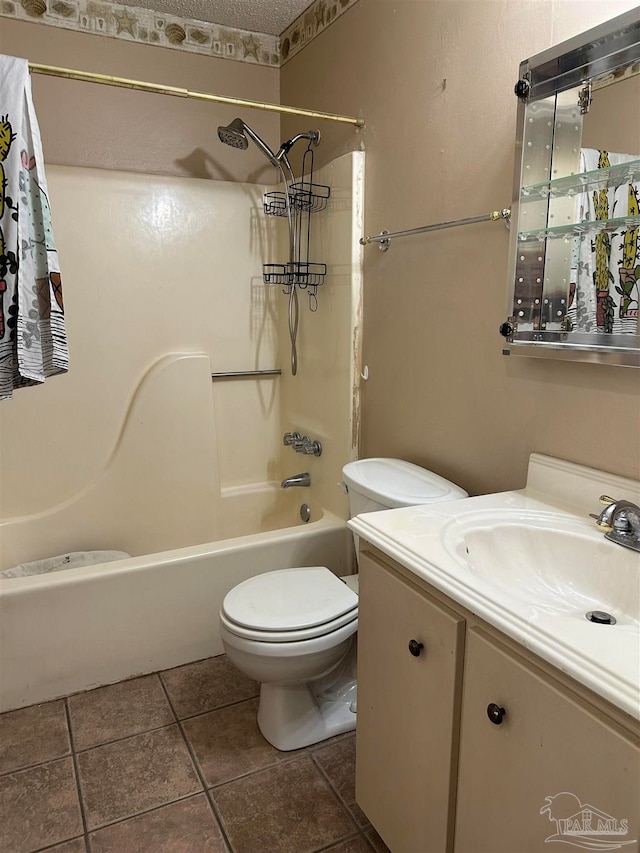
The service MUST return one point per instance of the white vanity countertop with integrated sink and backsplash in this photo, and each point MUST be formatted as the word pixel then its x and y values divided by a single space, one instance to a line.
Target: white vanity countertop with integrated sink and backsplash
pixel 533 564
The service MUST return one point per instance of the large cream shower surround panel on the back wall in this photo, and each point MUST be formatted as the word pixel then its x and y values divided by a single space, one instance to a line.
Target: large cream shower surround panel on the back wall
pixel 153 266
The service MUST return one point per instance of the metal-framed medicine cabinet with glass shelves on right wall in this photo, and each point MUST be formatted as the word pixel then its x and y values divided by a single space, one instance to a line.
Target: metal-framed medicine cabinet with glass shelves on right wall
pixel 574 276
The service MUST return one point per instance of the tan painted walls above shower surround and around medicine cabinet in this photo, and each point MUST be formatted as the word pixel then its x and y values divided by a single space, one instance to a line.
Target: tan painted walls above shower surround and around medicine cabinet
pixel 439 392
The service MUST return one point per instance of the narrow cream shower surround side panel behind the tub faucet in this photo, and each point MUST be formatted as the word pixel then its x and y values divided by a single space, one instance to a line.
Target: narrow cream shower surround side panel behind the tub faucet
pixel 323 400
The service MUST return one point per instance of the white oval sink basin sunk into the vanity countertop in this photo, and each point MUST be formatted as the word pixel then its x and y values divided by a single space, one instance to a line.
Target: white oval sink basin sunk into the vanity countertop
pixel 556 562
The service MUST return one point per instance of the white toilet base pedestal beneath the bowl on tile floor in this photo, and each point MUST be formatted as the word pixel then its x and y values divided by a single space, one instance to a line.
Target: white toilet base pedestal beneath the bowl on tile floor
pixel 291 716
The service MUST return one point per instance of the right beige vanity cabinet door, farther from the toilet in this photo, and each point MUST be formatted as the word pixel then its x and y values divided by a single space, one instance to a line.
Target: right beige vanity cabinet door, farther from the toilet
pixel 554 769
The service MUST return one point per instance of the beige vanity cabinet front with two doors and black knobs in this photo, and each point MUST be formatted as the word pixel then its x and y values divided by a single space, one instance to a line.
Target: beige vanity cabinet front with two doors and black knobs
pixel 477 745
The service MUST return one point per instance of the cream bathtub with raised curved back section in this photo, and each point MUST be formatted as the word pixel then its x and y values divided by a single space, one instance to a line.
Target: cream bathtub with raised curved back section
pixel 75 629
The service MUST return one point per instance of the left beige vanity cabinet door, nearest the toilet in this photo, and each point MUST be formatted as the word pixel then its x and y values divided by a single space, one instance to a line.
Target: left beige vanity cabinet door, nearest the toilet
pixel 407 707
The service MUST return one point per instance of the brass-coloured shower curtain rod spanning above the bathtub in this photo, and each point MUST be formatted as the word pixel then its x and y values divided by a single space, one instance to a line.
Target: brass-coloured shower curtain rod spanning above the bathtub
pixel 125 83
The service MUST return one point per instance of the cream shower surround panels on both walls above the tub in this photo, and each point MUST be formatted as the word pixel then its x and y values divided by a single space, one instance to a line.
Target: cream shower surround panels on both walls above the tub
pixel 155 266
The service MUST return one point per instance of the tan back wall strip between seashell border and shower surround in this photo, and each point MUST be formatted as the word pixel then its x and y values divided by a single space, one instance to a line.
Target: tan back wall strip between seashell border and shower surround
pixel 84 124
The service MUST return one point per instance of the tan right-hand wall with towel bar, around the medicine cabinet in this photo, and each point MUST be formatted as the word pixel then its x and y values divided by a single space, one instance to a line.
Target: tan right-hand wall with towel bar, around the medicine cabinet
pixel 440 393
